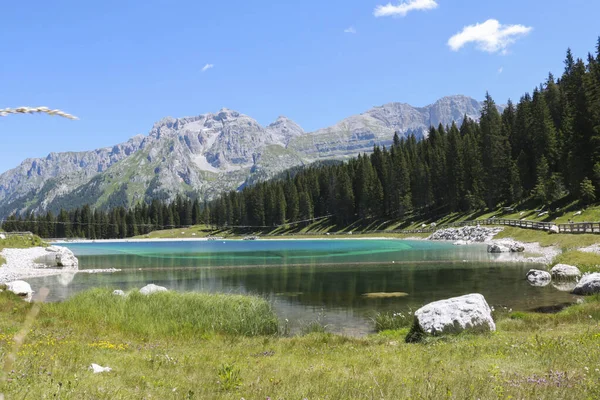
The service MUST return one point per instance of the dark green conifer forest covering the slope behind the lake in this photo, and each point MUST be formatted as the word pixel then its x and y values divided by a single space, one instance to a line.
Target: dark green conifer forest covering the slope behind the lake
pixel 545 147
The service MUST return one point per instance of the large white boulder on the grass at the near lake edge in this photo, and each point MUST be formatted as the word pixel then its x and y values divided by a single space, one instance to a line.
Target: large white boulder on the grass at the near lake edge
pixel 454 315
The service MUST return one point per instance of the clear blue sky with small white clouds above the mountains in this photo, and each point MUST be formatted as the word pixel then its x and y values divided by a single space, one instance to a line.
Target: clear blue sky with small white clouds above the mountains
pixel 122 65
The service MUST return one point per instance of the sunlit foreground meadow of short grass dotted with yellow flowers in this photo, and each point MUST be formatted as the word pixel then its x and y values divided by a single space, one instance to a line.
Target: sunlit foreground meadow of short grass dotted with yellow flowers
pixel 530 356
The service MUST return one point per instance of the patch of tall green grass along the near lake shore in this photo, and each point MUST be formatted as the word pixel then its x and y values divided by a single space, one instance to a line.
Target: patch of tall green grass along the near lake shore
pixel 169 314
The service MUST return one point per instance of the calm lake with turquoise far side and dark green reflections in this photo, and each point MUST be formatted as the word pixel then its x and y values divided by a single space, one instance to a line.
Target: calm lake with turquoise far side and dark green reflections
pixel 311 279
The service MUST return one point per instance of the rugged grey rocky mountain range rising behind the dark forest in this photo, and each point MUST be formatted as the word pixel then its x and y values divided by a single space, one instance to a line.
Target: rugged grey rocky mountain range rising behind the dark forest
pixel 205 154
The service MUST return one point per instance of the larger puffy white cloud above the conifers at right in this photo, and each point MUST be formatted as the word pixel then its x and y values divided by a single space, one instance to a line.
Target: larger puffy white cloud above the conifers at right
pixel 490 36
